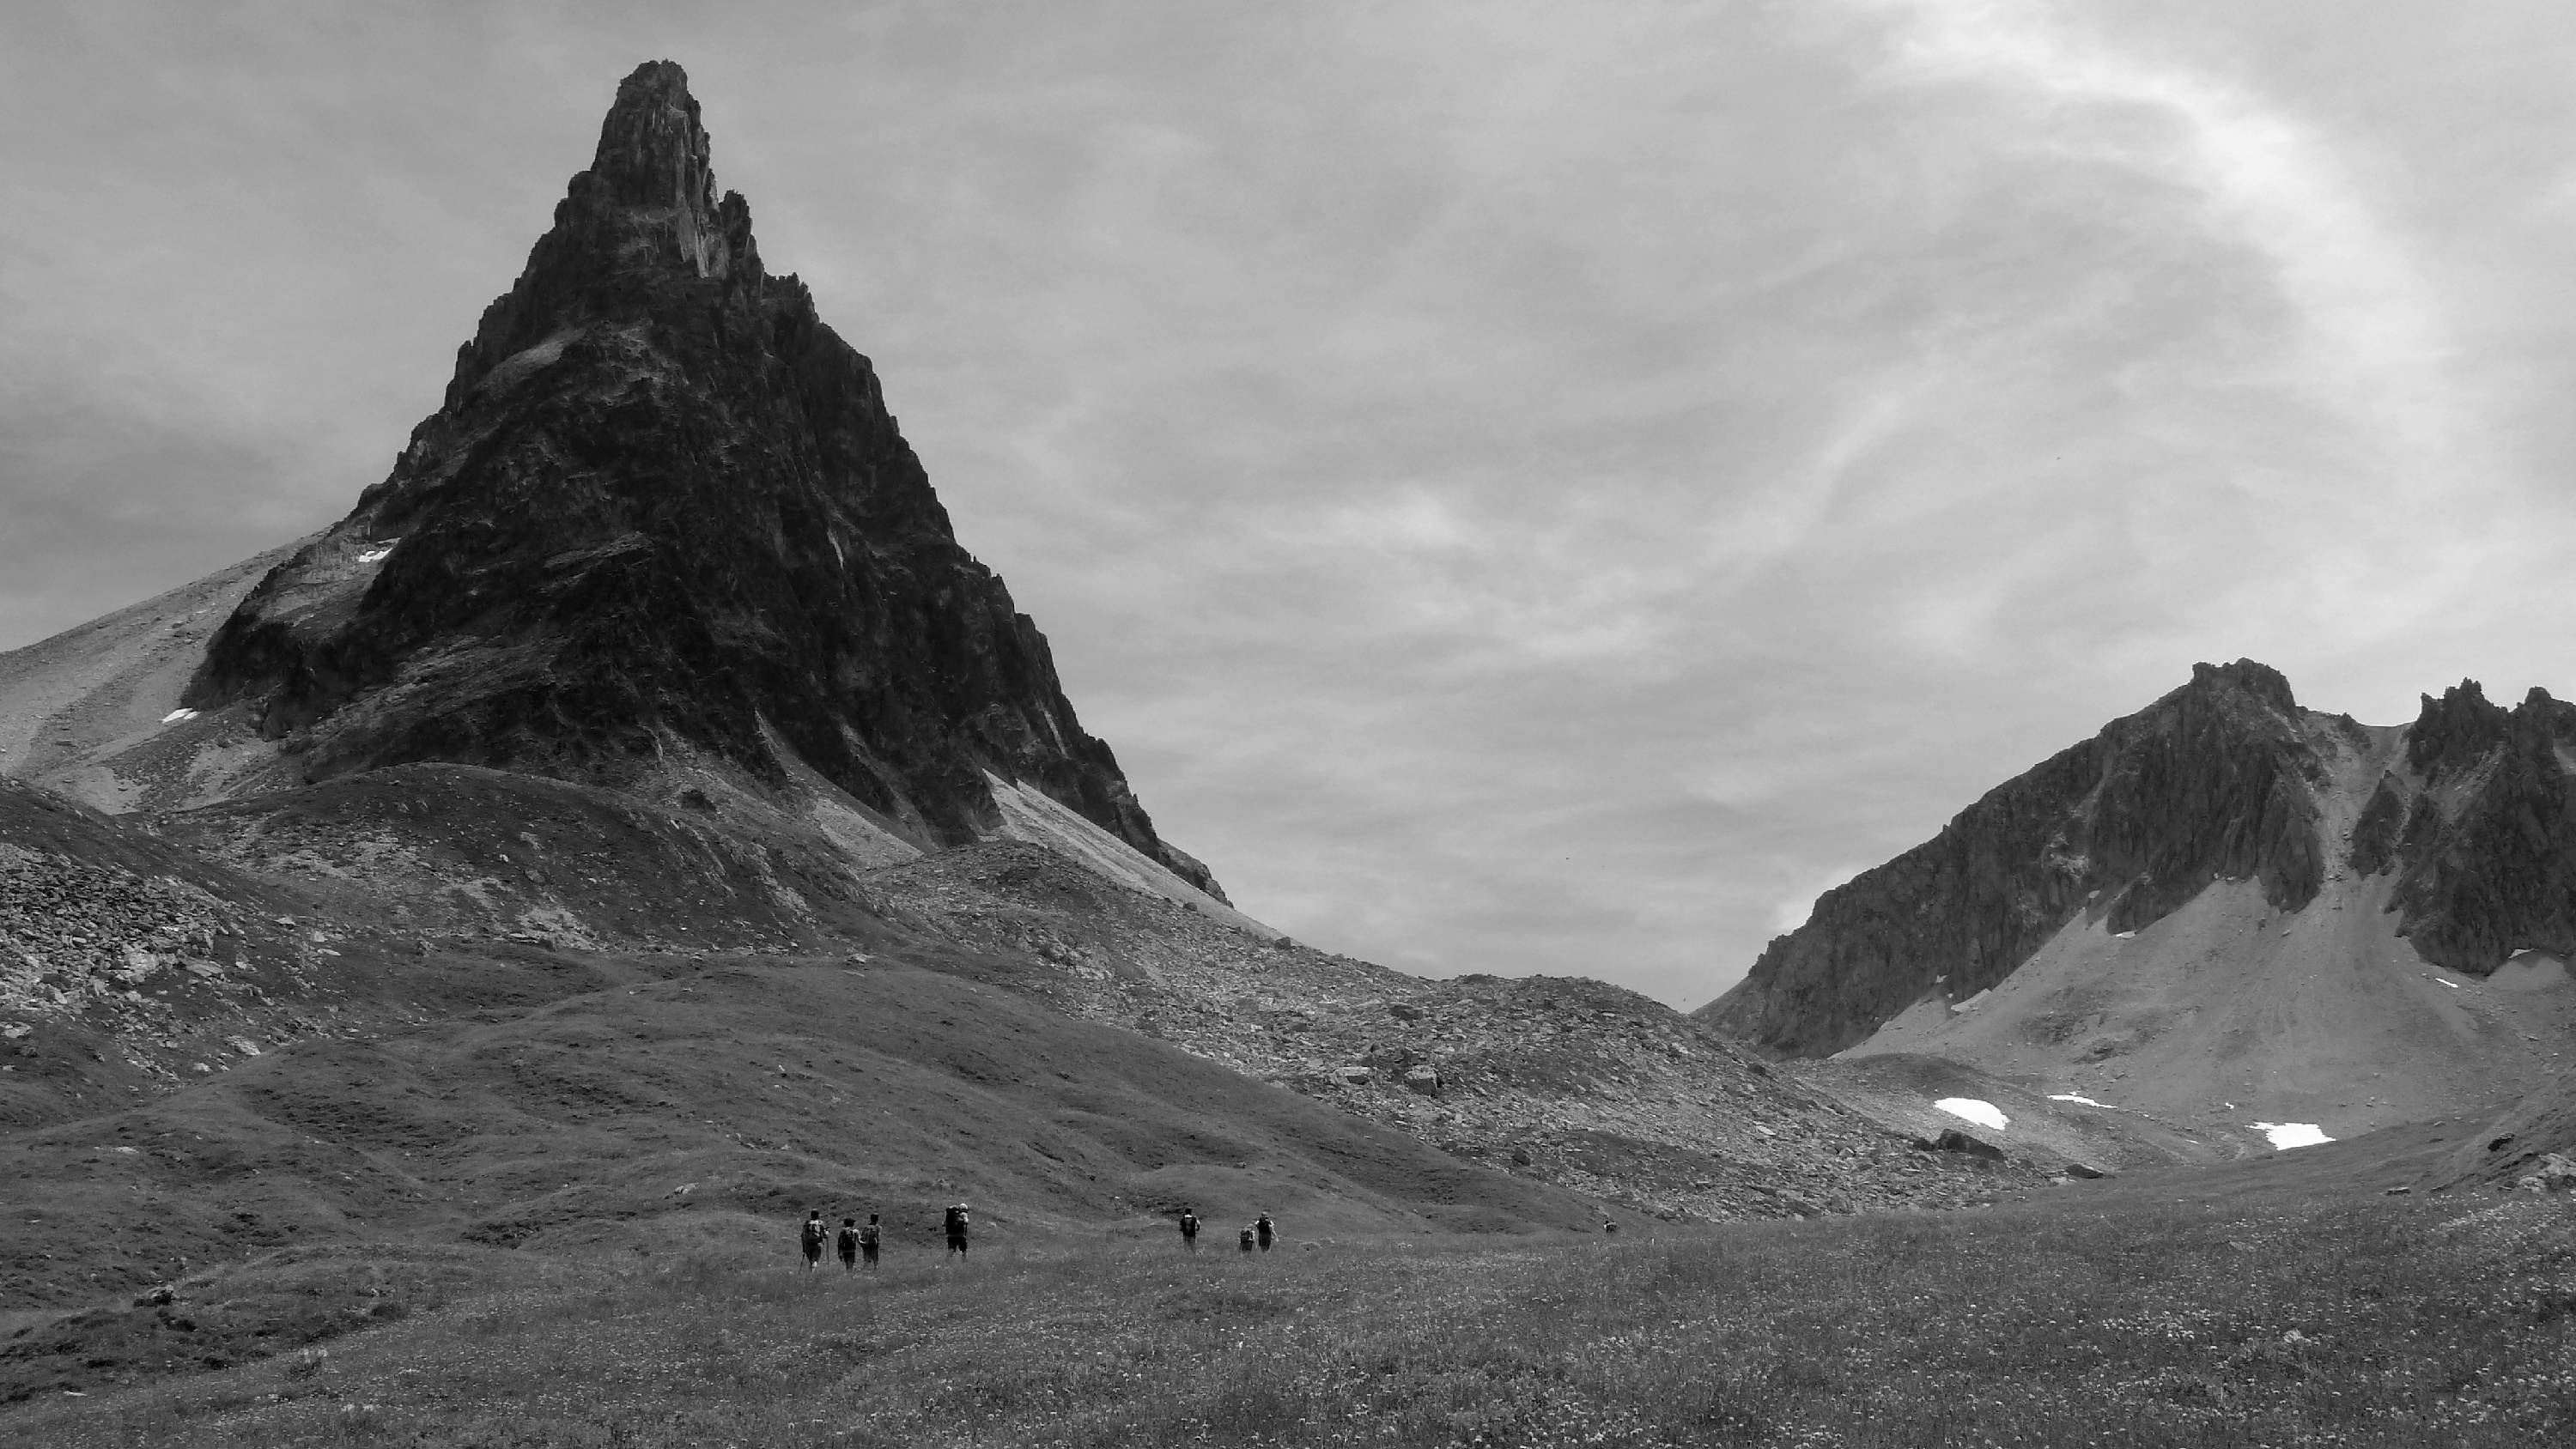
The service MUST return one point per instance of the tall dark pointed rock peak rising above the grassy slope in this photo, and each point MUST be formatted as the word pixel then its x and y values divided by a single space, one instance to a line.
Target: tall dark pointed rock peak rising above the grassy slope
pixel 666 508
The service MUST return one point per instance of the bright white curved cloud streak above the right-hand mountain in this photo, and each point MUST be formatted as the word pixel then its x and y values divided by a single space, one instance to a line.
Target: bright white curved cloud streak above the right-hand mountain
pixel 2371 336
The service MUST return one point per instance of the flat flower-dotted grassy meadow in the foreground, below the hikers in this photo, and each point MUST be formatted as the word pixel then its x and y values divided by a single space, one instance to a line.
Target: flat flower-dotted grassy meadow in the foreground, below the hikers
pixel 2325 1324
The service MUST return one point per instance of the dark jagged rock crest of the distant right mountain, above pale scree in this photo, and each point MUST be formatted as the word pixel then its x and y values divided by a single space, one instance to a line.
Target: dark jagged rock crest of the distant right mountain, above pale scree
pixel 2469 809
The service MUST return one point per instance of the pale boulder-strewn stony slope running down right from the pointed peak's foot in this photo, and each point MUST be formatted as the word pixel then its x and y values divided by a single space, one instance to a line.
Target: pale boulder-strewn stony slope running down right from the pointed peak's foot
pixel 1562 1080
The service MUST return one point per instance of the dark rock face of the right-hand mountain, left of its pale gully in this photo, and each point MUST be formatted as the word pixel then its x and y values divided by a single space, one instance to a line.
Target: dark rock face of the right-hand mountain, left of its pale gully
pixel 2134 822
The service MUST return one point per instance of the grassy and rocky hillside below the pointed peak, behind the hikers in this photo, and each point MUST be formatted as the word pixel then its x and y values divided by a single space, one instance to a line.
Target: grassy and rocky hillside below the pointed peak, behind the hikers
pixel 308 1046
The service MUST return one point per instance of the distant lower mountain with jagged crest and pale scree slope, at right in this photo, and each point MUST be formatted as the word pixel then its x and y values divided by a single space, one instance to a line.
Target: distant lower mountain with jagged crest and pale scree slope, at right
pixel 2222 910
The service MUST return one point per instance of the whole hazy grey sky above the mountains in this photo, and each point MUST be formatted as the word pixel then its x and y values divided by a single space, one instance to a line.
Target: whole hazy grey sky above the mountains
pixel 1521 485
